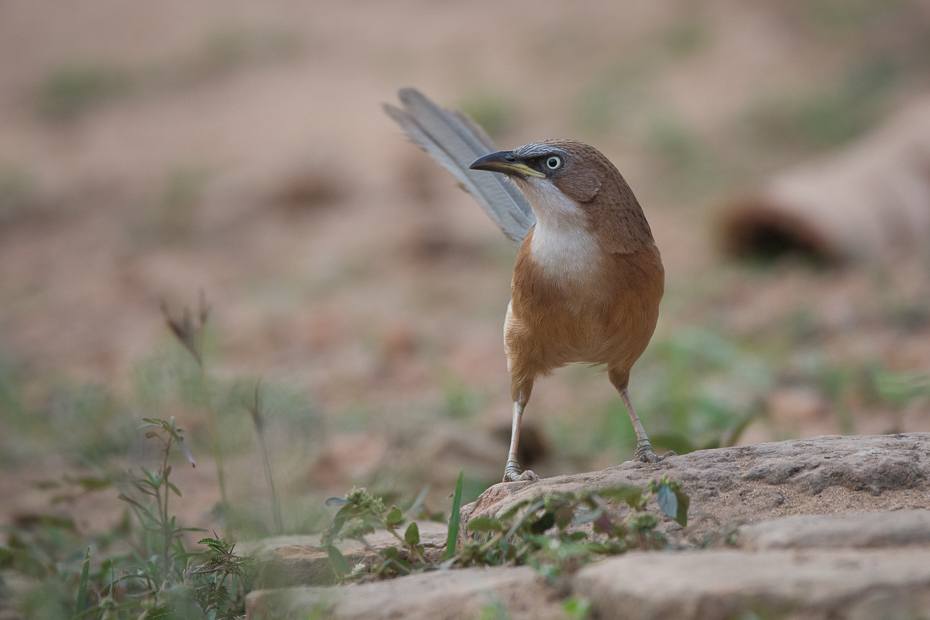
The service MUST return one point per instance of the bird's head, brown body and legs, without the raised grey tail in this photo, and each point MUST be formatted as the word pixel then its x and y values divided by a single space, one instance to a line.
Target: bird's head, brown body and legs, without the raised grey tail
pixel 588 277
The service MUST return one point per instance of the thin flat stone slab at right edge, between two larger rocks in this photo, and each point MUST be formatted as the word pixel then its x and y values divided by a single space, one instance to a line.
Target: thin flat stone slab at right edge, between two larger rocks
pixel 867 529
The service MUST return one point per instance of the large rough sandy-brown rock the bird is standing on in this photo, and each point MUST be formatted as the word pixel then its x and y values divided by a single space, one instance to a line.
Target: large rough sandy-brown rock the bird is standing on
pixel 751 483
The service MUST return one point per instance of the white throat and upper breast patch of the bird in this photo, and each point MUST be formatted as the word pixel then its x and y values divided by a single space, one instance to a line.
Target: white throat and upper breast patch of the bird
pixel 561 243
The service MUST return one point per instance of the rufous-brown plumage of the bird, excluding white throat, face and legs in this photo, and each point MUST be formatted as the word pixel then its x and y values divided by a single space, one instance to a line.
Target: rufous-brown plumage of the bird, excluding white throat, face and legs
pixel 606 316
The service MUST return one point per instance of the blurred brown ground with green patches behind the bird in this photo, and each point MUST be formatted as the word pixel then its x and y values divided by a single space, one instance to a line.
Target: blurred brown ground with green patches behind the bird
pixel 151 151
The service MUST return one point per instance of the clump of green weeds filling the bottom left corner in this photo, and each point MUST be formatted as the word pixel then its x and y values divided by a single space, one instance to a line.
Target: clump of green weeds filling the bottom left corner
pixel 158 578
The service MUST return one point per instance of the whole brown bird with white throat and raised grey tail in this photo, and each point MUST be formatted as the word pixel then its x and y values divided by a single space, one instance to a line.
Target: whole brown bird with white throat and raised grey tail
pixel 588 276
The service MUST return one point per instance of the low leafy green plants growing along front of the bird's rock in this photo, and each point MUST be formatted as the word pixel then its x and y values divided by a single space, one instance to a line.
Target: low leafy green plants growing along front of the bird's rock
pixel 546 532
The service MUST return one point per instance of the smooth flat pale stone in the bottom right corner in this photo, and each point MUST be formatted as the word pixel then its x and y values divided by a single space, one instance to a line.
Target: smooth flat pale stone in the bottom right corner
pixel 722 584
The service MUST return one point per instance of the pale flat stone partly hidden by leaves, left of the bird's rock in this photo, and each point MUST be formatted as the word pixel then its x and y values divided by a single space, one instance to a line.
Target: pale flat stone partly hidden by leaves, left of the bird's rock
pixel 298 560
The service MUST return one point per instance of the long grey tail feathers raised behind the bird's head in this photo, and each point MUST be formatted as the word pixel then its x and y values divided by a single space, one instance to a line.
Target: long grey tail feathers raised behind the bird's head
pixel 455 141
